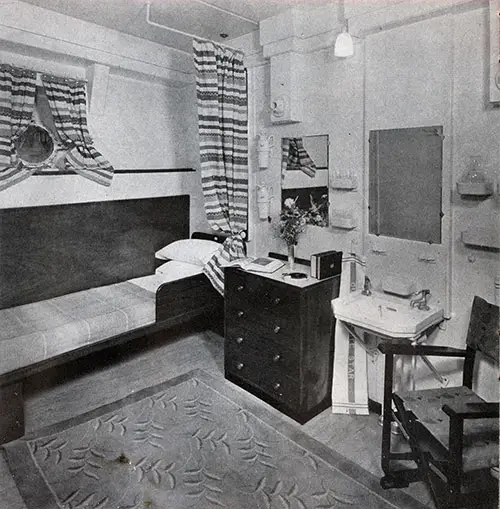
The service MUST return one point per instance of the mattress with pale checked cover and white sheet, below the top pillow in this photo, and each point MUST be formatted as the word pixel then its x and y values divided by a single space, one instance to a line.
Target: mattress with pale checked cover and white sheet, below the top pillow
pixel 32 333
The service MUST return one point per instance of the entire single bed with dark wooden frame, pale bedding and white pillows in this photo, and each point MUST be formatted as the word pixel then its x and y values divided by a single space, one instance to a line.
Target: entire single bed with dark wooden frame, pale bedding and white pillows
pixel 78 278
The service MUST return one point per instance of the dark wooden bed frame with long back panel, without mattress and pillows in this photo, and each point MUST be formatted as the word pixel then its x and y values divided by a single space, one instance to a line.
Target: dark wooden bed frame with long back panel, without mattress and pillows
pixel 97 244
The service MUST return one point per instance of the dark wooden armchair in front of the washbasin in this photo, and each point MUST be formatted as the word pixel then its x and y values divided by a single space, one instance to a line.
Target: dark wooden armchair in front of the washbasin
pixel 452 432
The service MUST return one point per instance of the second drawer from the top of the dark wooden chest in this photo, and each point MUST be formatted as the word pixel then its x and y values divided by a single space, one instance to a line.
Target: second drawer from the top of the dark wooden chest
pixel 280 329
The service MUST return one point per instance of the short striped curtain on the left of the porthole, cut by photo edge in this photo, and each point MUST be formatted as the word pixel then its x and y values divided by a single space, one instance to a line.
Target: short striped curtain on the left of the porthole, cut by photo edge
pixel 17 102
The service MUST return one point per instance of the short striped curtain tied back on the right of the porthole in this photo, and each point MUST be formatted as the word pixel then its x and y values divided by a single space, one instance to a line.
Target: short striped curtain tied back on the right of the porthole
pixel 68 105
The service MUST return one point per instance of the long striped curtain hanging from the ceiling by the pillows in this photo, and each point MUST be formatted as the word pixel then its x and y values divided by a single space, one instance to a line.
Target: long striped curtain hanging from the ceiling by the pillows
pixel 221 89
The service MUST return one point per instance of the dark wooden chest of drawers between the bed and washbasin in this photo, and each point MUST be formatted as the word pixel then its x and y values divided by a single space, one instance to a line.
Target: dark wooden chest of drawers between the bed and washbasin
pixel 279 339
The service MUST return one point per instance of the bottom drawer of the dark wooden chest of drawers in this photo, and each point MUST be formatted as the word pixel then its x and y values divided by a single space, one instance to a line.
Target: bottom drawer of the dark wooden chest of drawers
pixel 275 384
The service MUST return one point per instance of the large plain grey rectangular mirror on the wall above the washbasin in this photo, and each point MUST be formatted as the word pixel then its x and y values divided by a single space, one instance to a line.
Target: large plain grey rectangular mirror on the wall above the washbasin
pixel 405 174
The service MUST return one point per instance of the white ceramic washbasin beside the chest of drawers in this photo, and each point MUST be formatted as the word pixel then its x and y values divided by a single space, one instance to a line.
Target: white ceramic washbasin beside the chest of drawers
pixel 387 317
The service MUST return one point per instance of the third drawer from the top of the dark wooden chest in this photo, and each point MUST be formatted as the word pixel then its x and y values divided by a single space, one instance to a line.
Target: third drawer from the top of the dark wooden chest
pixel 263 353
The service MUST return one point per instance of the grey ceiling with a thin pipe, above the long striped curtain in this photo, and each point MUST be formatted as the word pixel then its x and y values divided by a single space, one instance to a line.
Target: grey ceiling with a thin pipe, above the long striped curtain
pixel 204 18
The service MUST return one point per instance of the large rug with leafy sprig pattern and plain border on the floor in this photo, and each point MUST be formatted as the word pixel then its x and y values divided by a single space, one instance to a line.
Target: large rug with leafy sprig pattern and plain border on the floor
pixel 193 442
